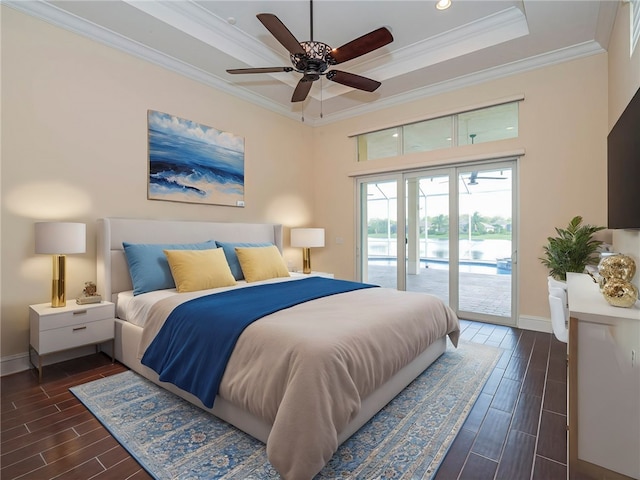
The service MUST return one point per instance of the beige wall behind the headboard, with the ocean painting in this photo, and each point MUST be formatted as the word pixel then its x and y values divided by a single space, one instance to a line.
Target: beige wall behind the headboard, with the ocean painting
pixel 74 147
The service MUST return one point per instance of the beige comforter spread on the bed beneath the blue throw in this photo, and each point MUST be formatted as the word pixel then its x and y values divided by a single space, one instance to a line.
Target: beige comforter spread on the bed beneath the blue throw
pixel 307 368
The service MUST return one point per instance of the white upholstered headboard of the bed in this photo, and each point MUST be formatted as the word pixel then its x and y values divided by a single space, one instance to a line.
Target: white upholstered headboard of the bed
pixel 112 270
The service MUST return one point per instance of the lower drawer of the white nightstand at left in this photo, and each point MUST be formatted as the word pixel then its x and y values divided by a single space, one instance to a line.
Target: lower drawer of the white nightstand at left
pixel 76 335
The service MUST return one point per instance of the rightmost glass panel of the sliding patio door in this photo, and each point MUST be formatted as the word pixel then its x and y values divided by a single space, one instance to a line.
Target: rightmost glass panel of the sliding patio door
pixel 485 243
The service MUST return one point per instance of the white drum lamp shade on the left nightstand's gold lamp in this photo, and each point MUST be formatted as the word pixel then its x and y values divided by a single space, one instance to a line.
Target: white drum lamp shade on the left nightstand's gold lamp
pixel 60 238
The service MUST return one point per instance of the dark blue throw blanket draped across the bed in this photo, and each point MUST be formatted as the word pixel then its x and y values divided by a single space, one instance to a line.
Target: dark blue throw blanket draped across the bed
pixel 192 348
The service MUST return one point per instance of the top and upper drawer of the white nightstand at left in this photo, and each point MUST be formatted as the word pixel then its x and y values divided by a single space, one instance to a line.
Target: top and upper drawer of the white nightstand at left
pixel 54 318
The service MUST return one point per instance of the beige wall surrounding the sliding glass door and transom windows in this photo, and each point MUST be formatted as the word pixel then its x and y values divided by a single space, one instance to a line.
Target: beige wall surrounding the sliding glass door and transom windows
pixel 563 128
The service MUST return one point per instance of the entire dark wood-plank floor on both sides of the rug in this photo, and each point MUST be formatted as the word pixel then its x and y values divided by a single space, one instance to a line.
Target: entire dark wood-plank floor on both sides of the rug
pixel 516 430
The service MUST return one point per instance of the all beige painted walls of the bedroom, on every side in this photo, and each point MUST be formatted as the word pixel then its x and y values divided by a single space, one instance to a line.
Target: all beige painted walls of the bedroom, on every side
pixel 74 148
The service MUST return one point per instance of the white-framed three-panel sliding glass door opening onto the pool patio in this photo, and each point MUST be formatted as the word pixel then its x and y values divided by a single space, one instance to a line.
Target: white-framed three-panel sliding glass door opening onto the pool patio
pixel 454 231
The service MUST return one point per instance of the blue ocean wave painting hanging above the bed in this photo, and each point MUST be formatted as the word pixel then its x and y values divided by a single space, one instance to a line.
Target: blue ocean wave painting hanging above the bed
pixel 193 163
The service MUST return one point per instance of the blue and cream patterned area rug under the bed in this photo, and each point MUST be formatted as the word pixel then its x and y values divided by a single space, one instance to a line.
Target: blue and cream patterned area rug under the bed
pixel 407 439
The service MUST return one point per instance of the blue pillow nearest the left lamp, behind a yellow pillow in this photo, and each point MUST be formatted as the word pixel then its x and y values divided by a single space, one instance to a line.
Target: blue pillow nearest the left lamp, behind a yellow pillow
pixel 148 265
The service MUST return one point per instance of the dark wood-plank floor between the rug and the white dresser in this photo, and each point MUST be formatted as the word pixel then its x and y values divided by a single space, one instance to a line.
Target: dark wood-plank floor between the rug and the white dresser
pixel 517 427
